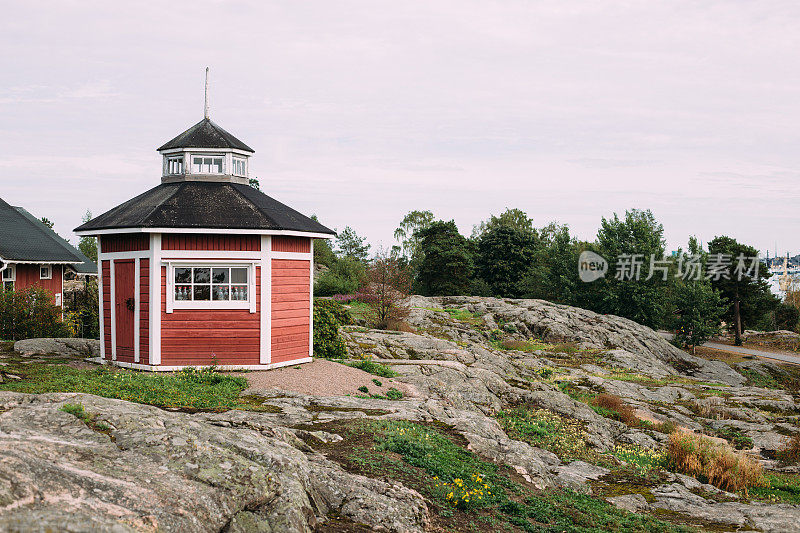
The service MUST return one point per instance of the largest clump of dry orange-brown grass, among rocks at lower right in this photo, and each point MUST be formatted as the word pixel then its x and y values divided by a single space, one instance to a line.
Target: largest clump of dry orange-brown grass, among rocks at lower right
pixel 716 463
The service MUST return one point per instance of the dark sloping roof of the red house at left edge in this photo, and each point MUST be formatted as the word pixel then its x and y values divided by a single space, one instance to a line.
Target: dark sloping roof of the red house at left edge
pixel 24 237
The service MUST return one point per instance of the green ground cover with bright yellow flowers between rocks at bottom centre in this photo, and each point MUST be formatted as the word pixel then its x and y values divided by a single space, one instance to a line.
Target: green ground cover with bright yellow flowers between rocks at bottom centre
pixel 471 494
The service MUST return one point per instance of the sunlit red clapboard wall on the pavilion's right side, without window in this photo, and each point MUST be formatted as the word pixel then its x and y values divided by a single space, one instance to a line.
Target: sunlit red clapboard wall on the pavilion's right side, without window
pixel 290 307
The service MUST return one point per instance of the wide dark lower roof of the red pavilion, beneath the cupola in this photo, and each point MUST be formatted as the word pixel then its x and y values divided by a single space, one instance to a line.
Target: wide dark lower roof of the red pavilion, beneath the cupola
pixel 195 204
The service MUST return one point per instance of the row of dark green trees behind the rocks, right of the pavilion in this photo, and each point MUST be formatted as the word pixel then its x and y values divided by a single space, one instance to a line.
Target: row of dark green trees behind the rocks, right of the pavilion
pixel 507 256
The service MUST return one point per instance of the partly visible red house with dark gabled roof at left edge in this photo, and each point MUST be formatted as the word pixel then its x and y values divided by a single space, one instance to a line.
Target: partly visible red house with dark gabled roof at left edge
pixel 33 255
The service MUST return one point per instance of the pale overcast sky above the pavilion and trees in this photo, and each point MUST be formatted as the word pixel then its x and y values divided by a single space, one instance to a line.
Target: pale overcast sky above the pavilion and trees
pixel 362 111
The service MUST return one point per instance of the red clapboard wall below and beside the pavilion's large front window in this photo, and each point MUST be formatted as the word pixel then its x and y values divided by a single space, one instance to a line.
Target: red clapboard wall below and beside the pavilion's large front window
pixel 191 336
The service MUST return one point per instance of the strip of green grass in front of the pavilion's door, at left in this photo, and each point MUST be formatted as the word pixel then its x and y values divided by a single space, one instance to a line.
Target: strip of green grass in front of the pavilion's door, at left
pixel 190 389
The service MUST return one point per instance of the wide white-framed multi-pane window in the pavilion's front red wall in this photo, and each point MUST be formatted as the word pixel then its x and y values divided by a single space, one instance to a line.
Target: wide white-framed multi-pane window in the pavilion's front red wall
pixel 206 283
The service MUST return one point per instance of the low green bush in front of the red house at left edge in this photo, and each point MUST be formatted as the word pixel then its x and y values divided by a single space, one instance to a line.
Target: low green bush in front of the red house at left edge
pixel 30 313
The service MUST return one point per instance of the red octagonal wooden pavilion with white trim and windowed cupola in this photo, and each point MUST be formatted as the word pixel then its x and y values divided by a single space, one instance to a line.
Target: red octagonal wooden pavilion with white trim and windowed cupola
pixel 204 268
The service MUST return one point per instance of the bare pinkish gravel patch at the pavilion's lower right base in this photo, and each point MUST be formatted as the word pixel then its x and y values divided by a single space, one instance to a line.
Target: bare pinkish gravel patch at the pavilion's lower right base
pixel 322 378
